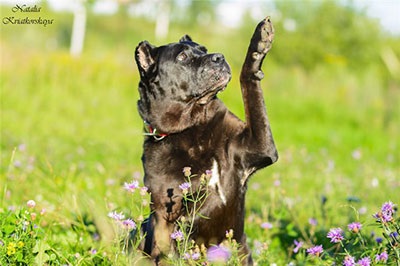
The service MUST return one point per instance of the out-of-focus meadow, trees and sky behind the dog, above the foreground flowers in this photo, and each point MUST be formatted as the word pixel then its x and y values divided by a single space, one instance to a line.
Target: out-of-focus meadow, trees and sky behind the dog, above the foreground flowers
pixel 70 127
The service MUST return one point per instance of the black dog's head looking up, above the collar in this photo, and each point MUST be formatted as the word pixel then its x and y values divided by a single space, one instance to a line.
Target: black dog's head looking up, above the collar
pixel 177 81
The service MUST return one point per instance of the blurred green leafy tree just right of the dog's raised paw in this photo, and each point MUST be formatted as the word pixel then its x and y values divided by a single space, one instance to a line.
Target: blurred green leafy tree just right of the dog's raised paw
pixel 326 32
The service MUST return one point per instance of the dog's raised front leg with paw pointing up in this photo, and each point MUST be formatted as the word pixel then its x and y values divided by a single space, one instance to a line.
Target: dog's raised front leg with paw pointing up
pixel 257 136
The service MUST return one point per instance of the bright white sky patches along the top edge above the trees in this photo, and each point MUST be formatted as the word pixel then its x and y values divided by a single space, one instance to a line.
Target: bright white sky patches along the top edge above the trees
pixel 387 11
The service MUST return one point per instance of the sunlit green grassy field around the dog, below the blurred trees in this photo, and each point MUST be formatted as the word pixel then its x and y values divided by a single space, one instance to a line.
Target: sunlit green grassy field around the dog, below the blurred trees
pixel 71 136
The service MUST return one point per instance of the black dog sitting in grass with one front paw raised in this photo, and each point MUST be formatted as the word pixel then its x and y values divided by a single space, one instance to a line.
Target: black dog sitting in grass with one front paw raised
pixel 190 127
